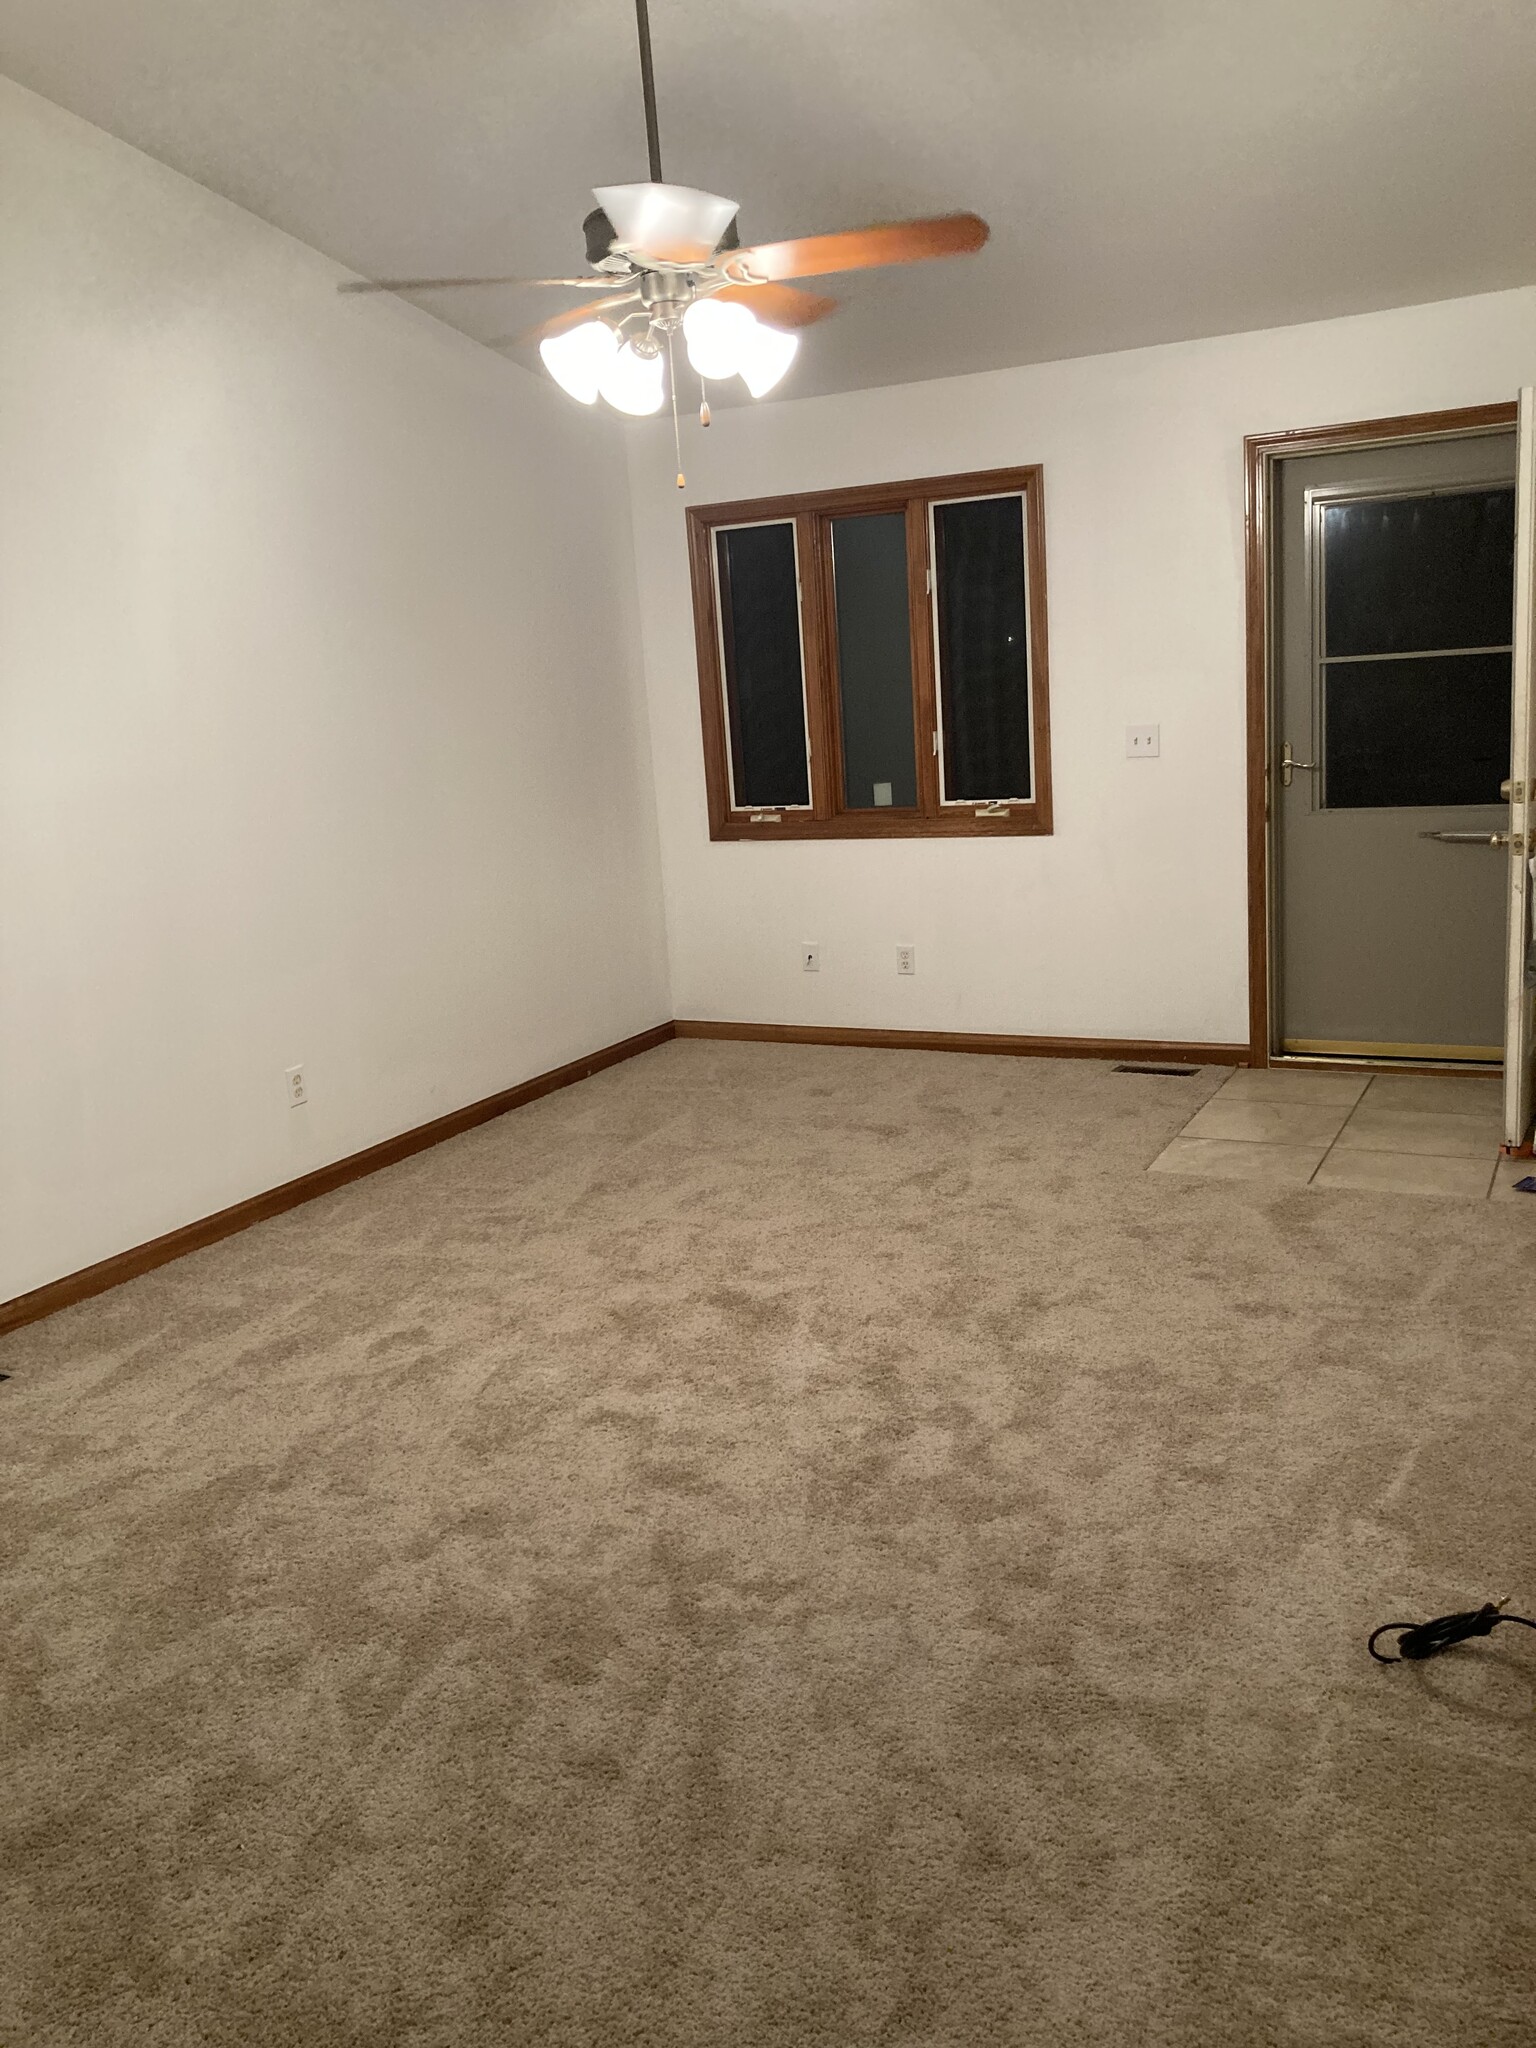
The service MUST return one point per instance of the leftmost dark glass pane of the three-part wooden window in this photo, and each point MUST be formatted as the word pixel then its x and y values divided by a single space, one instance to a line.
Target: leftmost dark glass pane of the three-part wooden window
pixel 761 634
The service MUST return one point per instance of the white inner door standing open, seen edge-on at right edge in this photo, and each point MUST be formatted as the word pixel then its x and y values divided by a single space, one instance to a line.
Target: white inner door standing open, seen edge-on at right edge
pixel 1521 980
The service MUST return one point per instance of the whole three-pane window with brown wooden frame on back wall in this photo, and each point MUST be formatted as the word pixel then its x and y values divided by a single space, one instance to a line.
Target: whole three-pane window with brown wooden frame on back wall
pixel 873 665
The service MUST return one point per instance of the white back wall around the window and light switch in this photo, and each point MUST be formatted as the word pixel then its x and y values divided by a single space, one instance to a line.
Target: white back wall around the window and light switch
pixel 1132 921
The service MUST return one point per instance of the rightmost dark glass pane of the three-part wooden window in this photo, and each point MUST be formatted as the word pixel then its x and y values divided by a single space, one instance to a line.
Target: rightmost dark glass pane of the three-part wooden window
pixel 984 660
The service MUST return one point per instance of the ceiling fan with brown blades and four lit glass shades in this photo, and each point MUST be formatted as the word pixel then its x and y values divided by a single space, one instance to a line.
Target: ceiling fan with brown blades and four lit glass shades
pixel 669 261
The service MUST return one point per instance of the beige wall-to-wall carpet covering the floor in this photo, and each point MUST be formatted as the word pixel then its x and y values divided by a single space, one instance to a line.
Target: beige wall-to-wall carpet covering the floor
pixel 781 1547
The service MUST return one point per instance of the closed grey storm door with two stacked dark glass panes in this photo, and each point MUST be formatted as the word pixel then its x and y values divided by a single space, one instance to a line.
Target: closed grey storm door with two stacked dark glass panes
pixel 1392 744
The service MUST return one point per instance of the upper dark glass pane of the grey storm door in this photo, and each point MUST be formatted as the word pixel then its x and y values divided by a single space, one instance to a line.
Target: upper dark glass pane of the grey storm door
pixel 1406 574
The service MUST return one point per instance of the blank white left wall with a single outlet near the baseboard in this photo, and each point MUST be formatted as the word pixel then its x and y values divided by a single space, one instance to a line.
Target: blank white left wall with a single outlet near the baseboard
pixel 321 726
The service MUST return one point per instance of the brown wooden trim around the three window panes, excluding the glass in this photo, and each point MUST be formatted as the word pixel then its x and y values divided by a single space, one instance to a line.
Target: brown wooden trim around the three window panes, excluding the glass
pixel 812 513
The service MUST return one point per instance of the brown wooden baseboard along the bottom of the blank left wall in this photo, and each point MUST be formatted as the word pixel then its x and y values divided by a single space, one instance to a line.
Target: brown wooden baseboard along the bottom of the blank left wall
pixel 325 1181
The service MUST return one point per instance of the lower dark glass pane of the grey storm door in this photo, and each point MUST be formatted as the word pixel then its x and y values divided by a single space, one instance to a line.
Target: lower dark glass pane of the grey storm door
pixel 1428 732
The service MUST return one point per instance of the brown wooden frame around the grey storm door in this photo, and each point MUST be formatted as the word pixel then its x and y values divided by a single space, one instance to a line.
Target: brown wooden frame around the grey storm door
pixel 1261 456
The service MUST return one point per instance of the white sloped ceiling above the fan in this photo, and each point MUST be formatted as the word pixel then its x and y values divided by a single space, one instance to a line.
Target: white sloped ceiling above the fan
pixel 1152 169
